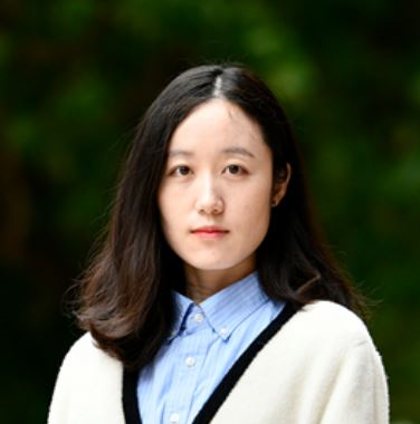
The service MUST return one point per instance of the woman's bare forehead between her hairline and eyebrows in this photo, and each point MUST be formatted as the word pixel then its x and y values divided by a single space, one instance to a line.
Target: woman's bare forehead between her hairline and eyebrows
pixel 215 124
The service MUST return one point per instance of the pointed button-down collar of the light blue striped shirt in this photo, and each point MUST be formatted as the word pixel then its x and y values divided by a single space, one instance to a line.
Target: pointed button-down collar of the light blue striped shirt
pixel 226 309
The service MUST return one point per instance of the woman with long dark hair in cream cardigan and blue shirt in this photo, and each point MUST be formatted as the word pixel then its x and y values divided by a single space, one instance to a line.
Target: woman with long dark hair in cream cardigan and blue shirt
pixel 213 298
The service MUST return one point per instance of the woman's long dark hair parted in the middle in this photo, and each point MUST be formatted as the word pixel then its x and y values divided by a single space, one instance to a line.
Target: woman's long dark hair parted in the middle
pixel 125 295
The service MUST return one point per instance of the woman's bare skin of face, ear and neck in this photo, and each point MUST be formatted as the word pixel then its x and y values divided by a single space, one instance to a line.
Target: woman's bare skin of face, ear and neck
pixel 218 176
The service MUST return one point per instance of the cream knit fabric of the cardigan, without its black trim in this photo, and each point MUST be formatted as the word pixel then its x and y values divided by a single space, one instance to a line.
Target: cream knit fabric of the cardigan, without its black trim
pixel 321 367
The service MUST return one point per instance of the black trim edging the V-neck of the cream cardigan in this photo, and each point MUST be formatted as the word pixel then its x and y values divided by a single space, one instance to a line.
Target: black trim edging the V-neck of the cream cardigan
pixel 219 395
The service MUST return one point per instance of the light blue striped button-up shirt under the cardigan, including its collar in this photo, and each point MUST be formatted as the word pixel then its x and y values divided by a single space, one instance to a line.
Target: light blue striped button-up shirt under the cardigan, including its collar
pixel 205 342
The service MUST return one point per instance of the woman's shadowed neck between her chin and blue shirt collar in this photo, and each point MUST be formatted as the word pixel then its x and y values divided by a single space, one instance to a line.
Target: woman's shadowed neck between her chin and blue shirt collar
pixel 202 284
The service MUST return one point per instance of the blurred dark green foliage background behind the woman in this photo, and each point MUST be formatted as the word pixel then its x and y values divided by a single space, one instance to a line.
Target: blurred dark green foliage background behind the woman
pixel 76 75
